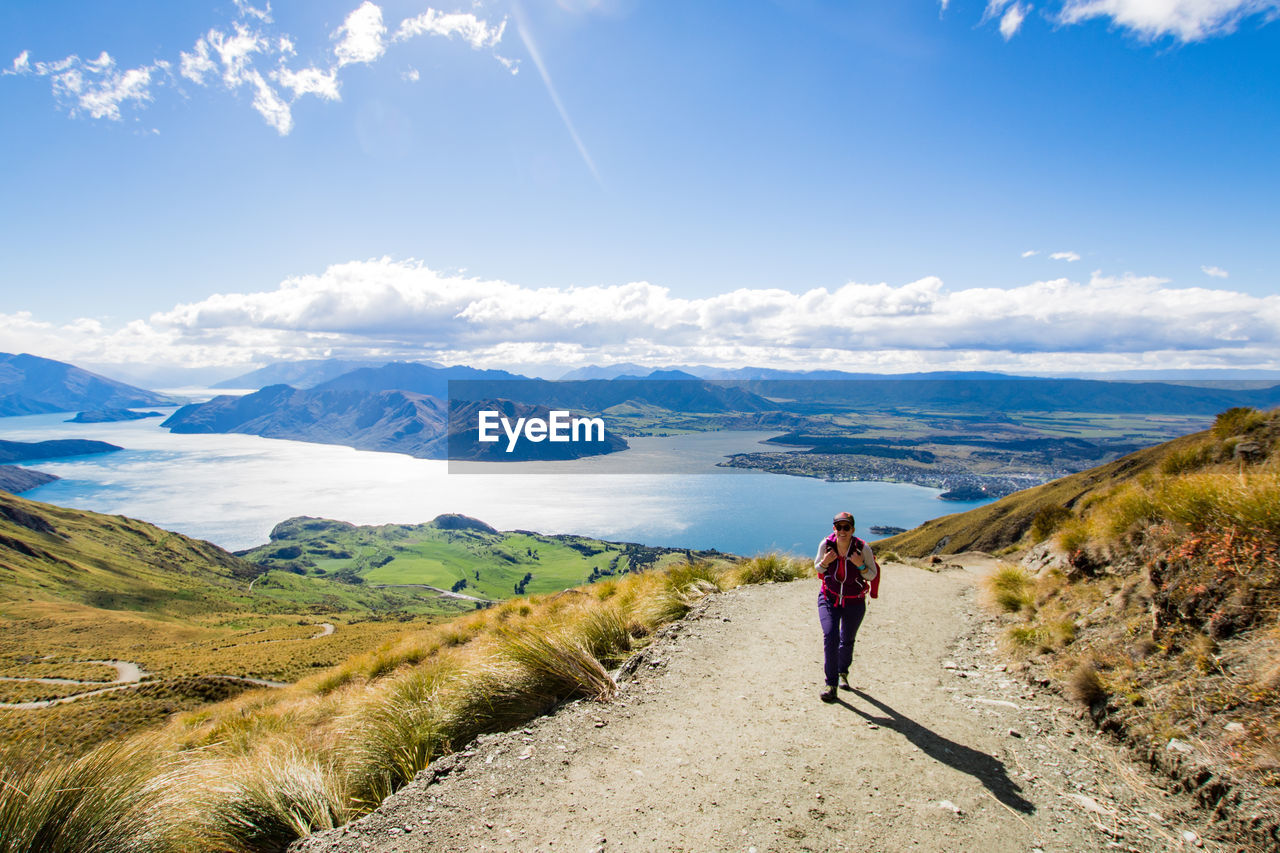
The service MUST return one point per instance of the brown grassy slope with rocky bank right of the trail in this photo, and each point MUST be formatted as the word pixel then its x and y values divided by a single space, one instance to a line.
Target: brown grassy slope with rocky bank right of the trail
pixel 1150 592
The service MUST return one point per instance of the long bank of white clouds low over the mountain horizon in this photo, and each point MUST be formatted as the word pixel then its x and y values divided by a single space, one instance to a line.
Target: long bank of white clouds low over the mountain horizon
pixel 406 311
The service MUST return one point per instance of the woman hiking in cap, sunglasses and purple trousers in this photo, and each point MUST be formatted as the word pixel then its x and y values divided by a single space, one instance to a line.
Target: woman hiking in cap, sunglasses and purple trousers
pixel 849 573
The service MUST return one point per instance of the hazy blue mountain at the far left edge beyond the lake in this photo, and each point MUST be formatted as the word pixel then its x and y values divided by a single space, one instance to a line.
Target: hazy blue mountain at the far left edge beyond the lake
pixel 35 386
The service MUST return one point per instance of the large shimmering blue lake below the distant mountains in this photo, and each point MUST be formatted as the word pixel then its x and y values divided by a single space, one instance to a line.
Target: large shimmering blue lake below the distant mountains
pixel 232 490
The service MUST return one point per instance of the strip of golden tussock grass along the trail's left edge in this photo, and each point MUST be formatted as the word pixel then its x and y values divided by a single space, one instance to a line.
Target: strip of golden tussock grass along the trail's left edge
pixel 269 767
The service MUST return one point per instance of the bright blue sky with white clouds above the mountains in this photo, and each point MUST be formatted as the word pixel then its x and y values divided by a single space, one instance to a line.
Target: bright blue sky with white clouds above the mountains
pixel 890 185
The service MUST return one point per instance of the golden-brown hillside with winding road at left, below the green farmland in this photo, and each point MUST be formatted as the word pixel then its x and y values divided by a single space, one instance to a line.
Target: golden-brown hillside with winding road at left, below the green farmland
pixel 194 621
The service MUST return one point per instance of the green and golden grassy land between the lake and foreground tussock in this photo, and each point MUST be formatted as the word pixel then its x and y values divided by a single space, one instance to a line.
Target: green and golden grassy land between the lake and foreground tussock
pixel 79 589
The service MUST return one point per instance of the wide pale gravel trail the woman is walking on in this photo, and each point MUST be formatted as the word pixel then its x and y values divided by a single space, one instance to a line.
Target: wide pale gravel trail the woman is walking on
pixel 719 742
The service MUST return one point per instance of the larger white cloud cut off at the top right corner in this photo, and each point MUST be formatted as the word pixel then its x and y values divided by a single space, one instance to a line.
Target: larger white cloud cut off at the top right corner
pixel 1182 20
